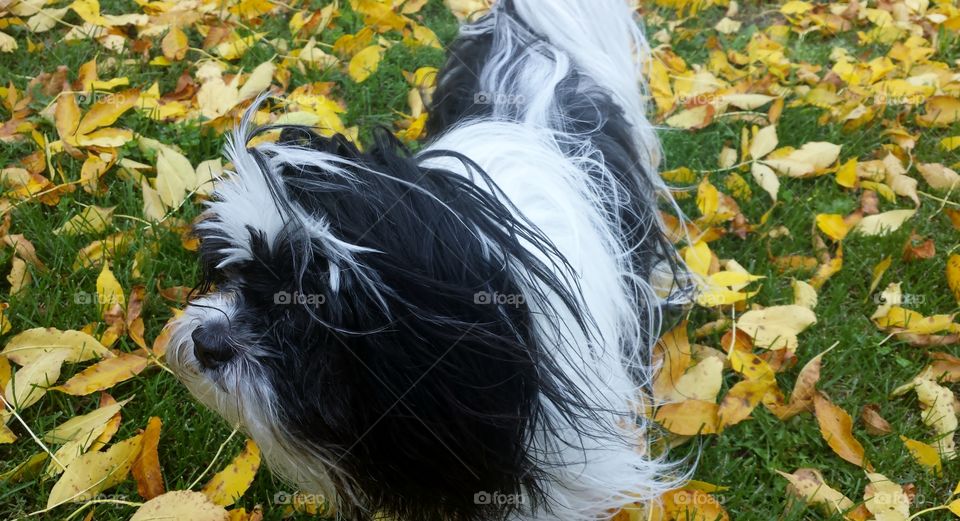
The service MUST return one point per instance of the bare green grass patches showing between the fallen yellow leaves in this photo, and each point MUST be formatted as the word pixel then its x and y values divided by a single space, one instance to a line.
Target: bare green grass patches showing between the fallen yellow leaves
pixel 864 368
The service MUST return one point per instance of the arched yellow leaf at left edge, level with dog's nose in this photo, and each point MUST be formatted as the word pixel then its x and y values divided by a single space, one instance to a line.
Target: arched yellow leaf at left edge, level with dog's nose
pixel 33 344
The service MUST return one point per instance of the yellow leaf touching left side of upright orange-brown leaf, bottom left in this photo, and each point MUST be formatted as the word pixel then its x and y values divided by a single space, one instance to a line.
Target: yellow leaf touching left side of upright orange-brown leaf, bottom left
pixel 95 472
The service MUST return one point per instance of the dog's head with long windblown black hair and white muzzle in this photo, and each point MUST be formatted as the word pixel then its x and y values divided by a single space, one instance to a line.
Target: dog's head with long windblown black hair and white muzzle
pixel 369 323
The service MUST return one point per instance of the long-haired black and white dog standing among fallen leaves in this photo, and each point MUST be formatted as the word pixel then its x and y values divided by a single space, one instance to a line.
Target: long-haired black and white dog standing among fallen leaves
pixel 463 333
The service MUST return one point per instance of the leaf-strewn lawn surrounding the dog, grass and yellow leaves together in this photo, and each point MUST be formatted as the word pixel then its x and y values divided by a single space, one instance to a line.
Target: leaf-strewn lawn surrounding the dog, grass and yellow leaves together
pixel 864 102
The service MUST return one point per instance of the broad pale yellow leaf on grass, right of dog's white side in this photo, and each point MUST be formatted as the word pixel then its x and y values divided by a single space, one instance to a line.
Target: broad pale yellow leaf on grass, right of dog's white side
pixel 776 327
